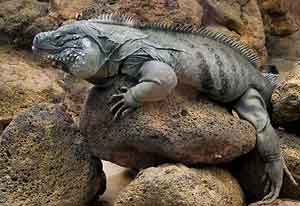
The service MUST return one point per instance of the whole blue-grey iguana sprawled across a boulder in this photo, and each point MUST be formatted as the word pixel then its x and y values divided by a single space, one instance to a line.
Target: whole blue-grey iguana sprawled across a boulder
pixel 156 57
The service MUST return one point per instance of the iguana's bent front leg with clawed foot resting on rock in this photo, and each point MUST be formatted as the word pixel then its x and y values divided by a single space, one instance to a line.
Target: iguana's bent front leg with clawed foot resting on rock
pixel 155 81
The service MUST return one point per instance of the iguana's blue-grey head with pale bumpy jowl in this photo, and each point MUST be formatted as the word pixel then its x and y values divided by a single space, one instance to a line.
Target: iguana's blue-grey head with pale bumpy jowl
pixel 71 48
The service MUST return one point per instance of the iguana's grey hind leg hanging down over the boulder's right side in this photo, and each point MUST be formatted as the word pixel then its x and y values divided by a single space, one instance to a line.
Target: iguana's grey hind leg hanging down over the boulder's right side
pixel 252 108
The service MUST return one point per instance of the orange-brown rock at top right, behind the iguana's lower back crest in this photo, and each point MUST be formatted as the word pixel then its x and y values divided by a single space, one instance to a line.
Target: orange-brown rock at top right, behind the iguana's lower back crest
pixel 241 17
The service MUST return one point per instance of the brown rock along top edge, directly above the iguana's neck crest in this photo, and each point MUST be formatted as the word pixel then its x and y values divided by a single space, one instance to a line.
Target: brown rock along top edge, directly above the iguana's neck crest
pixel 163 11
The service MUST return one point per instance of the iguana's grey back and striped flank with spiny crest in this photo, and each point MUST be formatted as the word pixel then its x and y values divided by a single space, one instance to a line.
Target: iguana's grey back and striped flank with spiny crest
pixel 217 65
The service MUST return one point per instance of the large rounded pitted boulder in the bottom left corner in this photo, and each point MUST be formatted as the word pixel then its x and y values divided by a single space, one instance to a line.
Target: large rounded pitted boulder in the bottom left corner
pixel 44 161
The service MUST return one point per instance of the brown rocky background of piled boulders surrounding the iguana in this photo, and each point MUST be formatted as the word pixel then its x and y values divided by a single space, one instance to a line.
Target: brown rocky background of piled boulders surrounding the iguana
pixel 46 160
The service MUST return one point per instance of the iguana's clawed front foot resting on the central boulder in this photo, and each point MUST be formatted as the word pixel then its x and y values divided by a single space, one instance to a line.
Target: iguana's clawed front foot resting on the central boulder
pixel 123 103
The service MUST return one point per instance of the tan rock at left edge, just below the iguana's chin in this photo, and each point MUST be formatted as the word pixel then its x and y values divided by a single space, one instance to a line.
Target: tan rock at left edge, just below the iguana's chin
pixel 24 83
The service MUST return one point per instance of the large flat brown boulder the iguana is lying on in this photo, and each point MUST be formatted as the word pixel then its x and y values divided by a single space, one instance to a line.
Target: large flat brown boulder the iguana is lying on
pixel 182 128
